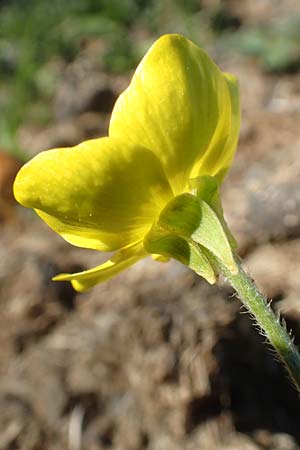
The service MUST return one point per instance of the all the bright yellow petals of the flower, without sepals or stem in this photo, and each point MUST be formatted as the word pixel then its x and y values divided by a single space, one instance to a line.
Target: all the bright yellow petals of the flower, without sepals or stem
pixel 177 120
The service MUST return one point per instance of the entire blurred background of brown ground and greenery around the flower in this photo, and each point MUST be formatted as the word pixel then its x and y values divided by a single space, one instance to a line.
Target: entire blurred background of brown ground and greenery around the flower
pixel 154 359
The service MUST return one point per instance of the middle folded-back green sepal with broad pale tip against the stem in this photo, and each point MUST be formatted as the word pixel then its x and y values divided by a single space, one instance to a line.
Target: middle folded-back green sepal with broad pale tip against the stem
pixel 192 219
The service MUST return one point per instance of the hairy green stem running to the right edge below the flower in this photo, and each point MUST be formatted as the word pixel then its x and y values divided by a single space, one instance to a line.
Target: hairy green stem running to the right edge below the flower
pixel 269 322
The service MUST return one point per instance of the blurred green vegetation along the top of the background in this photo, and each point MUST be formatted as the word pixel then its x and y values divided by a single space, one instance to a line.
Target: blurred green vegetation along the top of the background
pixel 38 37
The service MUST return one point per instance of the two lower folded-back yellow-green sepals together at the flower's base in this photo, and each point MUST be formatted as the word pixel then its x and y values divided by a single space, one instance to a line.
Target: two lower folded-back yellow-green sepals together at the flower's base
pixel 189 230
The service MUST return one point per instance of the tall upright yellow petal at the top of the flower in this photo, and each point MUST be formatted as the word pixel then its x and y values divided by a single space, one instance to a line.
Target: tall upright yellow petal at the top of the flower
pixel 174 106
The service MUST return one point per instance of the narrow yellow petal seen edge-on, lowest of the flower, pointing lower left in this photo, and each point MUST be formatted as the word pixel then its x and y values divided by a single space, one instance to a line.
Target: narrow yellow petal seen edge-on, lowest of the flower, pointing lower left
pixel 124 258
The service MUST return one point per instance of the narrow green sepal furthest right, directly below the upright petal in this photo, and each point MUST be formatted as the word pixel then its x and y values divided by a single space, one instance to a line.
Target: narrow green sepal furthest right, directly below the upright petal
pixel 207 188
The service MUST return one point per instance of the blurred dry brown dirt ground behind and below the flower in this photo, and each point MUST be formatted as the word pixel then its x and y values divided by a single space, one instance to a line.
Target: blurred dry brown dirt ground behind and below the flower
pixel 156 358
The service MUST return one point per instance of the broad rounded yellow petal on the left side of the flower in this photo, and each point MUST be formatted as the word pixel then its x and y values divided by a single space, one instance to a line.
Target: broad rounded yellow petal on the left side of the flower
pixel 102 194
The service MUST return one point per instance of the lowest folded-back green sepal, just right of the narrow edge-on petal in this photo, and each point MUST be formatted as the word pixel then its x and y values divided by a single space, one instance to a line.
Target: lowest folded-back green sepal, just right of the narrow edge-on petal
pixel 161 242
